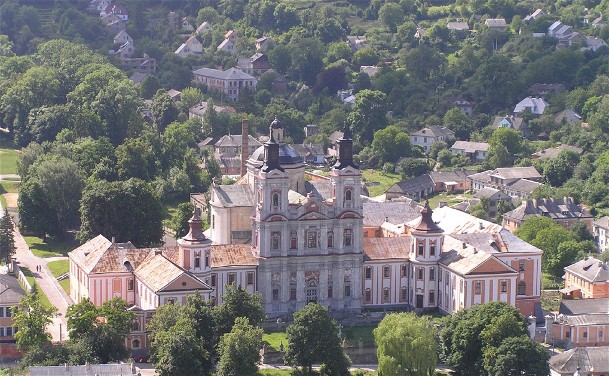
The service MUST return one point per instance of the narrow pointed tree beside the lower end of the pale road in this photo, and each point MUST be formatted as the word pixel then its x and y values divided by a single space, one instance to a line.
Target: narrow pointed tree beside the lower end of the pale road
pixel 32 318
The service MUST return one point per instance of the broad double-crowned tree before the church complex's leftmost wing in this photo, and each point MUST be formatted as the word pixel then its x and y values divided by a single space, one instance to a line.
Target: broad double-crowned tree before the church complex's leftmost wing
pixel 105 338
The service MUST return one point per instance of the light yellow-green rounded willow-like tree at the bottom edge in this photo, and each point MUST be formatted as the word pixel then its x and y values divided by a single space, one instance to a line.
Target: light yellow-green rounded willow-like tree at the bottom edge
pixel 406 345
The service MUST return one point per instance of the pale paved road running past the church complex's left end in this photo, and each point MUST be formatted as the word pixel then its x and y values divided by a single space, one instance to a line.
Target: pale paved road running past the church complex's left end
pixel 47 283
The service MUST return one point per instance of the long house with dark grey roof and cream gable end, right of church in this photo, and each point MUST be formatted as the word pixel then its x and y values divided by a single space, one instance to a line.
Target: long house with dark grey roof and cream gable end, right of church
pixel 563 211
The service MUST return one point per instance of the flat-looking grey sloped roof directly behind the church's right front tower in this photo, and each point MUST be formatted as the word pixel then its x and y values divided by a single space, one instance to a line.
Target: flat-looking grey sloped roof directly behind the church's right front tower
pixel 375 213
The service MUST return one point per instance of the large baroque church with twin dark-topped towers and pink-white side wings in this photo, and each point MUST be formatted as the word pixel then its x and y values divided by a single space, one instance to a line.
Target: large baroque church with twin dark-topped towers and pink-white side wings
pixel 297 238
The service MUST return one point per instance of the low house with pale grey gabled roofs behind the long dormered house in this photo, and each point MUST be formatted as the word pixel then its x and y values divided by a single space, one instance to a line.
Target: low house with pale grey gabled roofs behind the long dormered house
pixel 518 182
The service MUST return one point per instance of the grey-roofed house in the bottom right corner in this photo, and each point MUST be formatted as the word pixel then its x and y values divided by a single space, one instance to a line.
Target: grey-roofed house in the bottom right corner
pixel 581 361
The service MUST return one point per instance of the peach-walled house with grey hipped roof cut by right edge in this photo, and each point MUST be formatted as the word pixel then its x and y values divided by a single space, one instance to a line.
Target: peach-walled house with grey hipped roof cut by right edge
pixel 586 279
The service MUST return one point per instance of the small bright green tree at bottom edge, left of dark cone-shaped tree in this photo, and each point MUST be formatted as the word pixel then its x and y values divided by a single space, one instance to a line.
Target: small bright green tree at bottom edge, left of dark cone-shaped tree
pixel 239 350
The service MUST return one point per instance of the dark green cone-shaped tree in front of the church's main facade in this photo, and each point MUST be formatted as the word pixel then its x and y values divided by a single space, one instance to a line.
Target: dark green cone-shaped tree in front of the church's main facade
pixel 312 338
